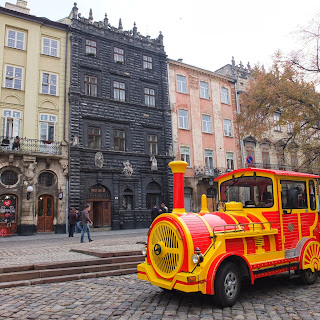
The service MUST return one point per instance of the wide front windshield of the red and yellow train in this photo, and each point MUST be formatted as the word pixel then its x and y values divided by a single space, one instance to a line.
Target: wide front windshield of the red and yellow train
pixel 253 191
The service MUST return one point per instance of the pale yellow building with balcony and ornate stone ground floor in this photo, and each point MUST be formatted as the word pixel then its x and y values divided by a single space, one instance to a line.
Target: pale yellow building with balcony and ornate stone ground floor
pixel 34 58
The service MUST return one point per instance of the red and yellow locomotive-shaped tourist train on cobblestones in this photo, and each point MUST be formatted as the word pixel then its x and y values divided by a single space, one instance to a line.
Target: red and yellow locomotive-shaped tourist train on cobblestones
pixel 267 223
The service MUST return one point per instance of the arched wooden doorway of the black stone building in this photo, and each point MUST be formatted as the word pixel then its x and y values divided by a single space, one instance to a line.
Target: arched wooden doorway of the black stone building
pixel 98 197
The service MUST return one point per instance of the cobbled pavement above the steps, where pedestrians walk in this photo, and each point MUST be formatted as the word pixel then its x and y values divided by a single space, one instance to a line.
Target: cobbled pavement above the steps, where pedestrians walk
pixel 43 248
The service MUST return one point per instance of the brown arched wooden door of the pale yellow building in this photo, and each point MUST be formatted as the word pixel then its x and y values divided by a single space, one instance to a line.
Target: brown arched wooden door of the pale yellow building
pixel 45 213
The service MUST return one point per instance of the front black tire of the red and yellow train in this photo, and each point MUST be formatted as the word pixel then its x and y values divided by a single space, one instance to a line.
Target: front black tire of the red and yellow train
pixel 227 285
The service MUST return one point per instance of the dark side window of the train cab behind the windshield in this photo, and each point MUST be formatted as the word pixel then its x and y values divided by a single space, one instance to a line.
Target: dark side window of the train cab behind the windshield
pixel 293 194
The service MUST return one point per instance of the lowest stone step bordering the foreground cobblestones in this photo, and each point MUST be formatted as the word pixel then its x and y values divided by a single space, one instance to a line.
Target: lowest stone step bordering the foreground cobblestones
pixel 64 278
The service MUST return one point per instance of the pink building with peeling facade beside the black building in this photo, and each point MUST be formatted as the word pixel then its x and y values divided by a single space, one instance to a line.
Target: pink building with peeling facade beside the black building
pixel 205 133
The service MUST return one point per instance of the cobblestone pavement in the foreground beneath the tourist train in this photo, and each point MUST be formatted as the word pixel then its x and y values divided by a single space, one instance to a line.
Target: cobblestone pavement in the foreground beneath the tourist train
pixel 126 297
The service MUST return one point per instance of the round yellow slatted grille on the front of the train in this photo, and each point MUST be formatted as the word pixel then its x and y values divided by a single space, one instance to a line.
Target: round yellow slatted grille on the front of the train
pixel 165 249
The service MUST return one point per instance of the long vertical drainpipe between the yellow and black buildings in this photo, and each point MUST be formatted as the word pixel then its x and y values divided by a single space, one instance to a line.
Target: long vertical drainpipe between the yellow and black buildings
pixel 64 124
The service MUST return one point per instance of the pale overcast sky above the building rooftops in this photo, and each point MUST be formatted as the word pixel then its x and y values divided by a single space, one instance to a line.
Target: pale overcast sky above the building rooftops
pixel 204 33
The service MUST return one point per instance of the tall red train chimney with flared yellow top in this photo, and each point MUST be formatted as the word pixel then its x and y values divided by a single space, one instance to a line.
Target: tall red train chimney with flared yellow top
pixel 178 168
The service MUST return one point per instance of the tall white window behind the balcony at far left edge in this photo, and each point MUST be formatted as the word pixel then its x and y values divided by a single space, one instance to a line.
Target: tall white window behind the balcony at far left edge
pixel 11 123
